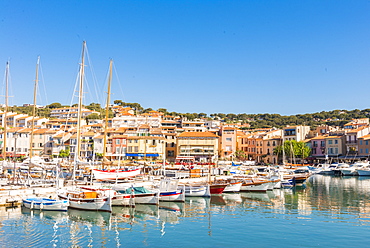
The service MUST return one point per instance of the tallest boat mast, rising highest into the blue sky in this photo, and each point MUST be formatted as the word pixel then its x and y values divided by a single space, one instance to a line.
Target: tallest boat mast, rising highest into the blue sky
pixel 80 96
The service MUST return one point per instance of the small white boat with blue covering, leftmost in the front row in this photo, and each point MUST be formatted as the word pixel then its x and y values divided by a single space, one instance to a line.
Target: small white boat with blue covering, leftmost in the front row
pixel 45 204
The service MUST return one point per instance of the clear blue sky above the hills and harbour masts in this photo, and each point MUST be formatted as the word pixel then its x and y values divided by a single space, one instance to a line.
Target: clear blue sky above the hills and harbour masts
pixel 254 56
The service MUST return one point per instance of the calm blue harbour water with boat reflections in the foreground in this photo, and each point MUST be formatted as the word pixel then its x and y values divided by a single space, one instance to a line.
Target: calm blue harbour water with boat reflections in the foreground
pixel 329 211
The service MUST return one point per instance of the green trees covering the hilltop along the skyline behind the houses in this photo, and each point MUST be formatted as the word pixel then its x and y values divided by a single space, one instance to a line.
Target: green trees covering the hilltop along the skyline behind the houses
pixel 331 118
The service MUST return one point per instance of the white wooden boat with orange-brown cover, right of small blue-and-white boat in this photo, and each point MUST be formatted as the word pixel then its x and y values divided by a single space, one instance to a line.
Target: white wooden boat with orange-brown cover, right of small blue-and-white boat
pixel 87 200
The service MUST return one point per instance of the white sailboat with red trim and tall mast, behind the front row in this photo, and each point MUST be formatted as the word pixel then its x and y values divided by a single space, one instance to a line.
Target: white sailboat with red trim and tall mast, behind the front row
pixel 114 174
